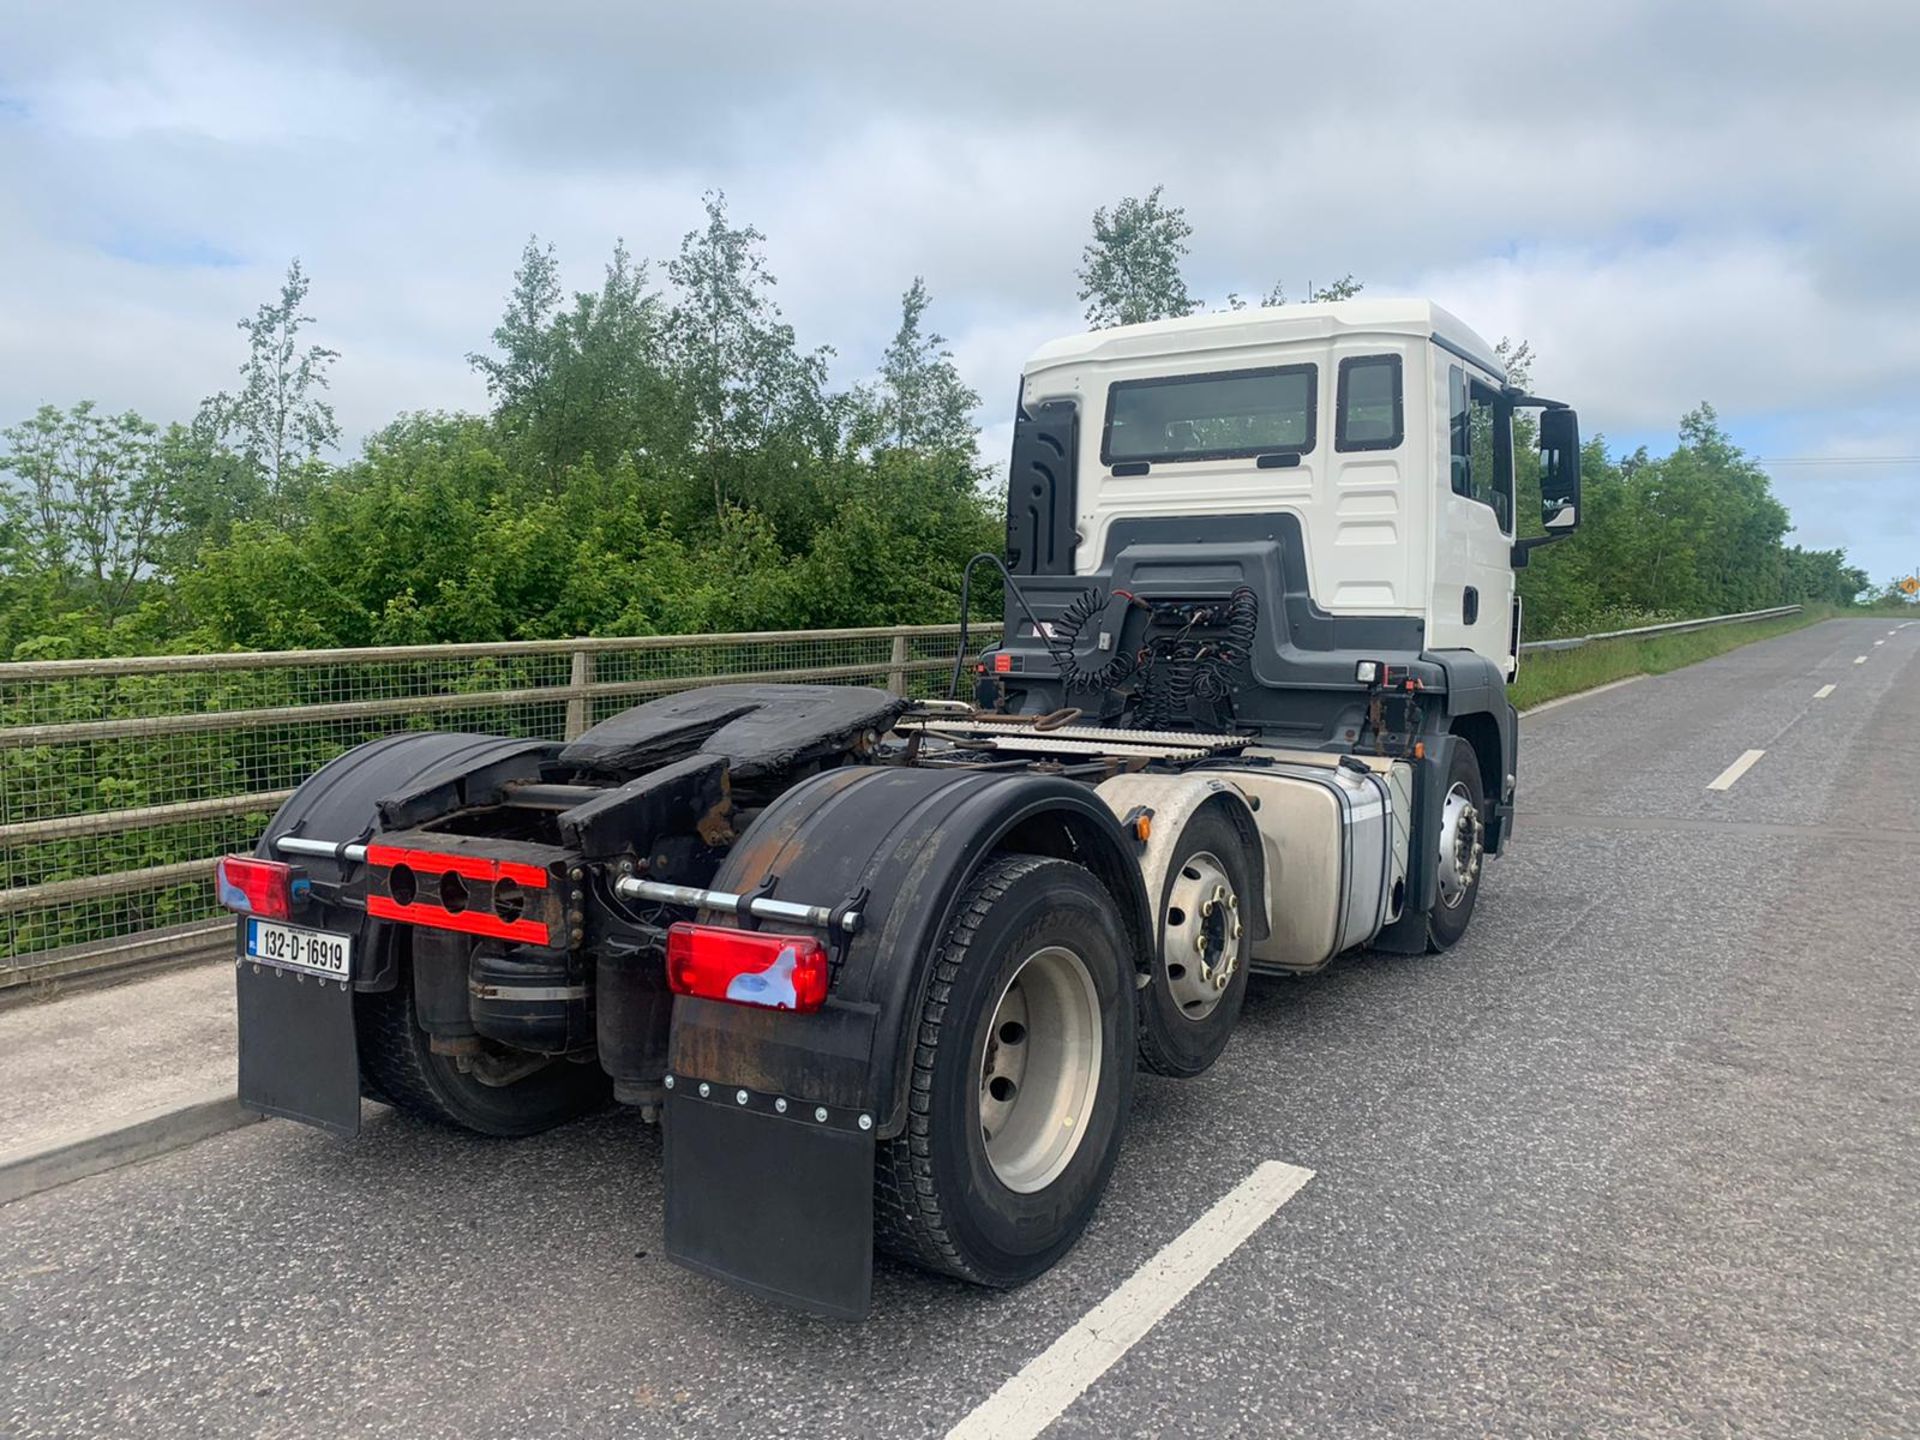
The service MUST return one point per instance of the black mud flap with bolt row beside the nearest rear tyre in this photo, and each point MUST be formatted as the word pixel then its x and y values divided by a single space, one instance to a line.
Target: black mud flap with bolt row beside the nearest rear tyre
pixel 779 1205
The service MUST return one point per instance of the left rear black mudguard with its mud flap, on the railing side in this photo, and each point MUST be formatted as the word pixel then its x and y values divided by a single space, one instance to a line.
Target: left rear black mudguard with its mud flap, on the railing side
pixel 299 1047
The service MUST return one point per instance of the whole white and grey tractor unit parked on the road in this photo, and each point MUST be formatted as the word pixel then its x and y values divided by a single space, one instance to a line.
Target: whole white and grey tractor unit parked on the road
pixel 884 969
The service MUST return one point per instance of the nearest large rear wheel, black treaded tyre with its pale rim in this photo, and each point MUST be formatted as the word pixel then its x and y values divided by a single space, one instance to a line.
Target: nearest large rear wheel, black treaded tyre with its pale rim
pixel 1022 1078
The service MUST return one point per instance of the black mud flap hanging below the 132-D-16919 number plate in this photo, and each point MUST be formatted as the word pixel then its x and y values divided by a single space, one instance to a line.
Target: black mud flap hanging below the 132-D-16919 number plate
pixel 299 1053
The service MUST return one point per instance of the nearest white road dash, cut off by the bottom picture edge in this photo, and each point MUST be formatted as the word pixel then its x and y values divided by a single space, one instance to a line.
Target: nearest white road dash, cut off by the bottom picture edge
pixel 1057 1378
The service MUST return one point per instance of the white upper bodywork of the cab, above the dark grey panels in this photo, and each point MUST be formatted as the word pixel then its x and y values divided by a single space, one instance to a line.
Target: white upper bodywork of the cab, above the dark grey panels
pixel 1381 425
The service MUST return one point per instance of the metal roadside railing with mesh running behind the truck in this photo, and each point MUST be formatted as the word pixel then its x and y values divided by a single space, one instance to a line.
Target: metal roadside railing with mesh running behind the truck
pixel 124 780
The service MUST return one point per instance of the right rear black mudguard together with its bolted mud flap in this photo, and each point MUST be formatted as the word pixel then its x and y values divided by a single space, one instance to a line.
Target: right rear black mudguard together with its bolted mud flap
pixel 775 1116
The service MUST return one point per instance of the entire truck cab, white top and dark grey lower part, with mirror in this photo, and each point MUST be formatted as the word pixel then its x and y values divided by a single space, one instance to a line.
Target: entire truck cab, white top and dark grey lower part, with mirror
pixel 1295 523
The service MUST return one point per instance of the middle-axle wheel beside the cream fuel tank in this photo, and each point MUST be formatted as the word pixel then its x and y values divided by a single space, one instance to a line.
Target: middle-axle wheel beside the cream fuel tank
pixel 1199 978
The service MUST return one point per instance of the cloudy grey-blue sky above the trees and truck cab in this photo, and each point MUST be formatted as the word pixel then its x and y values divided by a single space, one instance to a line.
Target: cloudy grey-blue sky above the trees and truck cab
pixel 1673 203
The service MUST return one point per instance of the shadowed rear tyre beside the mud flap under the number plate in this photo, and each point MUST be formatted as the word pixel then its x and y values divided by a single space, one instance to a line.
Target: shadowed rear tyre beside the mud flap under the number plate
pixel 400 1068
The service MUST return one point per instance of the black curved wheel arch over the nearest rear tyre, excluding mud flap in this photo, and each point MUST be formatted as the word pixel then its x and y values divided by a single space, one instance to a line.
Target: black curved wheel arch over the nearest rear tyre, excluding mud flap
pixel 907 842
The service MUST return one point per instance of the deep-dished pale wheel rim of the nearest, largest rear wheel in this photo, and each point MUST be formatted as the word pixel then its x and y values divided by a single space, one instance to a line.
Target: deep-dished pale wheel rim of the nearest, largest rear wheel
pixel 1040 1070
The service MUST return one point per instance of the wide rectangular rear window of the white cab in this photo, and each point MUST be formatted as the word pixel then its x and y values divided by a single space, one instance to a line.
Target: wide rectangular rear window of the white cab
pixel 1211 418
